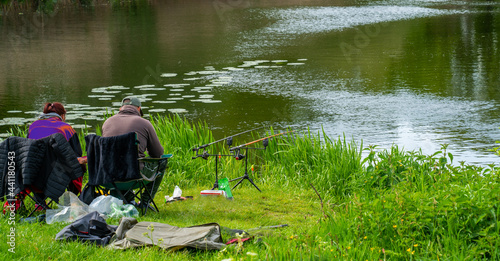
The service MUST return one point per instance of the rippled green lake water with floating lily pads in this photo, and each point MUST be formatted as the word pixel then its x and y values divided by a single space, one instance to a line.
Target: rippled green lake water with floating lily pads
pixel 413 73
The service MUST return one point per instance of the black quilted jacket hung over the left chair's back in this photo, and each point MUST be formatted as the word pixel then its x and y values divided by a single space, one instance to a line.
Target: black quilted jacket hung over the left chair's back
pixel 47 164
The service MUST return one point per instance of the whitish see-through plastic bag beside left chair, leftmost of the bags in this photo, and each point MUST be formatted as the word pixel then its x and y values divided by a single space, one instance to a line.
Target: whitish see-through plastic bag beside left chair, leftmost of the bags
pixel 69 209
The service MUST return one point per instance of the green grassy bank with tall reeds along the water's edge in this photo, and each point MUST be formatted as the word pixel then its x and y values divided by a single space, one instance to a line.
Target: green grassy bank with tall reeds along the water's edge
pixel 339 205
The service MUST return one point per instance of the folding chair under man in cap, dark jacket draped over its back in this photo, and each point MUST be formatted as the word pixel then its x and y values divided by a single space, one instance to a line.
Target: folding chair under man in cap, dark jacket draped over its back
pixel 114 166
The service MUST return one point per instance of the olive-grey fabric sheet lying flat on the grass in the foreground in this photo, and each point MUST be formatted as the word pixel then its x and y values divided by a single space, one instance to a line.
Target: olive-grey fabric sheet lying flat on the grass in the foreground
pixel 130 234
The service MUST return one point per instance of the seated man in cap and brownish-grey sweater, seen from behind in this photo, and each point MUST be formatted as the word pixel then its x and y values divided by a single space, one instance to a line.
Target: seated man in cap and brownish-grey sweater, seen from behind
pixel 129 119
